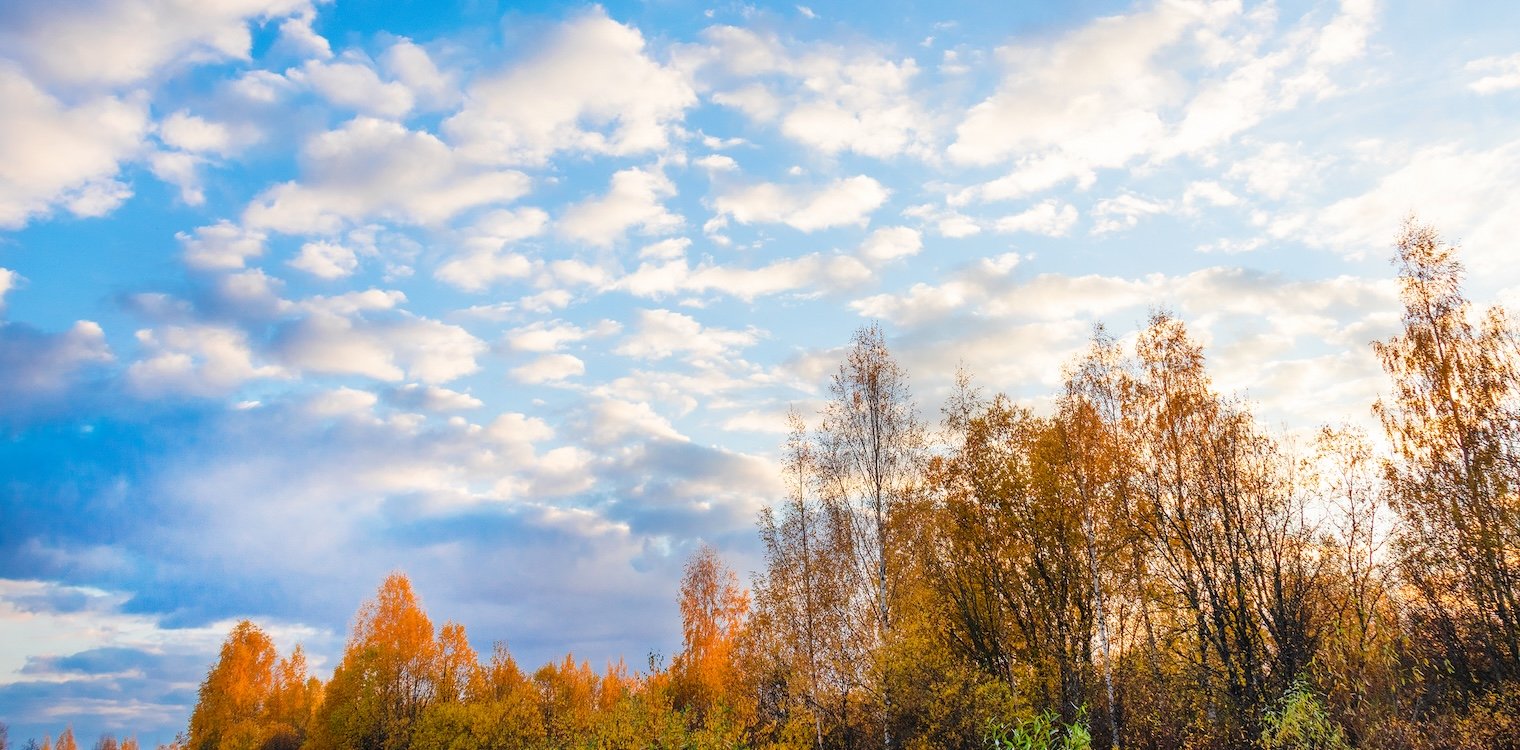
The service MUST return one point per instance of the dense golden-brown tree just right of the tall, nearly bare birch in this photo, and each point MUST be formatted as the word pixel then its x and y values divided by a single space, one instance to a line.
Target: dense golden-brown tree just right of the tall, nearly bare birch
pixel 1015 564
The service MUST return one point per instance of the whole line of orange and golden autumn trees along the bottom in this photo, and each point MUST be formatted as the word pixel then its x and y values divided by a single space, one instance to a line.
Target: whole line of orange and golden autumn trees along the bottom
pixel 1142 567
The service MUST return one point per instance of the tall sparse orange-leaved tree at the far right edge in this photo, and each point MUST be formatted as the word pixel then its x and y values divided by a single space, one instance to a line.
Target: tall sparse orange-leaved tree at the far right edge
pixel 1455 469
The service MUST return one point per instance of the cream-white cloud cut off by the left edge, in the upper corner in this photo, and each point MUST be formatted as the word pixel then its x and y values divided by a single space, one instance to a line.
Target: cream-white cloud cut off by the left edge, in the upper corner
pixel 57 156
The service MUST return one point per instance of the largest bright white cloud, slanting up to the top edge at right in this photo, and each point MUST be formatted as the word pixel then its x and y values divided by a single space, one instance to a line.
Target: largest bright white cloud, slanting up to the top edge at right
pixel 1110 95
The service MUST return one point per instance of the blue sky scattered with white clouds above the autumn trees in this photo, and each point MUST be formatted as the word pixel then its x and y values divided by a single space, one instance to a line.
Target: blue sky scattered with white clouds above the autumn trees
pixel 515 297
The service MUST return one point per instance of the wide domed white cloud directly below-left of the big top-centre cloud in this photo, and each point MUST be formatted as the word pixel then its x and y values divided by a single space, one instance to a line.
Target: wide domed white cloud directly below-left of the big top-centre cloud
pixel 375 168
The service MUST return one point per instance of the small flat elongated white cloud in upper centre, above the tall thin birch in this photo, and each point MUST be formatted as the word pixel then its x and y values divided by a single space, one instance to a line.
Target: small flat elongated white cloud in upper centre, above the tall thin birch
pixel 843 203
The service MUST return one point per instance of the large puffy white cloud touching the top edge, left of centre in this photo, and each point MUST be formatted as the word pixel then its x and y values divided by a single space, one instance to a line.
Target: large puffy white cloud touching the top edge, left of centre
pixel 591 89
